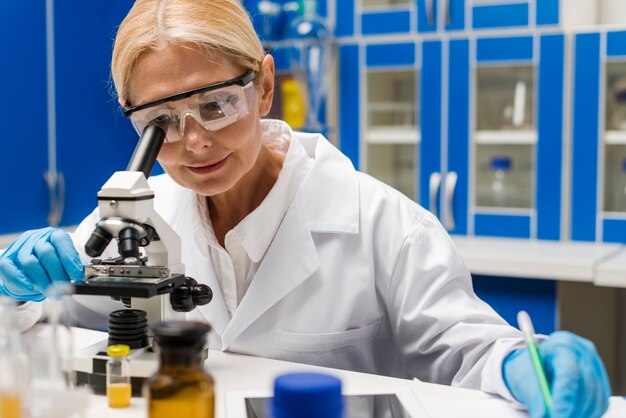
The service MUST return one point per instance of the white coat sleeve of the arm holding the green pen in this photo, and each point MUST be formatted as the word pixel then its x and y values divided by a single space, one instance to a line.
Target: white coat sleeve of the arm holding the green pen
pixel 446 333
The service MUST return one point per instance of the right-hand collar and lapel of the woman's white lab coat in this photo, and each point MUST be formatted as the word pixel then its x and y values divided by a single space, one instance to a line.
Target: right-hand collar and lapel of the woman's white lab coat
pixel 327 201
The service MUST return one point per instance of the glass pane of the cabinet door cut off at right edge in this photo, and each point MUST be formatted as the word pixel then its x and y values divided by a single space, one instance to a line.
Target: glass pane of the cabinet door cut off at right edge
pixel 615 138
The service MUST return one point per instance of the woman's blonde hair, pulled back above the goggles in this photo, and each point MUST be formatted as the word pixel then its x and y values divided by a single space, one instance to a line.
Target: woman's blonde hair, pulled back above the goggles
pixel 217 26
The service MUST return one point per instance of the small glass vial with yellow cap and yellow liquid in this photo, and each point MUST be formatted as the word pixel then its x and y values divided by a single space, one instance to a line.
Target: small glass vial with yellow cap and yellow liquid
pixel 119 389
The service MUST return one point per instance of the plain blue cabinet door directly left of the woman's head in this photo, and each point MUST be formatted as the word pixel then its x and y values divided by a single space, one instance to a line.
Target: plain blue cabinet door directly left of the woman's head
pixel 94 139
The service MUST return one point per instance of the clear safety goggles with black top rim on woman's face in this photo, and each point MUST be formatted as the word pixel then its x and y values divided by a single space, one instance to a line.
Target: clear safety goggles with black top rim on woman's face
pixel 213 107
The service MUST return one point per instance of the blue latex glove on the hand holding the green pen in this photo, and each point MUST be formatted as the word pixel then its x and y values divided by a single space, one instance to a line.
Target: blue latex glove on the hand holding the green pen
pixel 577 378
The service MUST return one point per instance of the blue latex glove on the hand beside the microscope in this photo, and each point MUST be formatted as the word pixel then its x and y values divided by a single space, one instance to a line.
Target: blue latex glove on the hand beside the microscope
pixel 35 260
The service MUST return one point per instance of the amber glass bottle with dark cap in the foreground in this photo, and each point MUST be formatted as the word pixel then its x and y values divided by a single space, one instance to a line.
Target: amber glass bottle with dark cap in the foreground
pixel 181 387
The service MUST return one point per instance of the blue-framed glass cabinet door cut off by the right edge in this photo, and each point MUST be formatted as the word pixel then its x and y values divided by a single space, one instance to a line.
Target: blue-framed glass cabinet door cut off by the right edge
pixel 598 137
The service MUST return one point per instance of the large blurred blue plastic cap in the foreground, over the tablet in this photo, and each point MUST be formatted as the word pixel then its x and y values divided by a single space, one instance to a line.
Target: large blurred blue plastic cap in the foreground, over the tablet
pixel 307 395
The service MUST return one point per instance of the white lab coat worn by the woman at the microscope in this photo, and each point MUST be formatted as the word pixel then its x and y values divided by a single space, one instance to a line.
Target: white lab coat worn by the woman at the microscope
pixel 357 277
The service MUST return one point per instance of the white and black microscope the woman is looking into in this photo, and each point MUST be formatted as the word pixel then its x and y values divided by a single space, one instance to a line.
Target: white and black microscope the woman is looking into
pixel 147 276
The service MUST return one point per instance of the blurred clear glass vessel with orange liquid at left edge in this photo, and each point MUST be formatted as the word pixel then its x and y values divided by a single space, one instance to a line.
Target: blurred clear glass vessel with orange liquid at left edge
pixel 13 367
